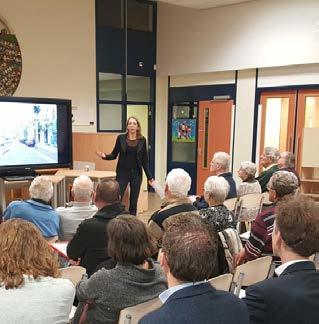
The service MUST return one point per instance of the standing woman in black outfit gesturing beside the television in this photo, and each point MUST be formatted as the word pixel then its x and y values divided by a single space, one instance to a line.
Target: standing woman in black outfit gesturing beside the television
pixel 132 150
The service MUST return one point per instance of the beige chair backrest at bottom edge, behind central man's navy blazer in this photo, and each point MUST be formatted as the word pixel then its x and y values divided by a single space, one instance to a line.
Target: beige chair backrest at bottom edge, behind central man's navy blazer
pixel 132 315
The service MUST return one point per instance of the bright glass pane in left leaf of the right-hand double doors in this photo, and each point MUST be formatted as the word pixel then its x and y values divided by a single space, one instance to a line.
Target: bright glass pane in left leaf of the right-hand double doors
pixel 276 125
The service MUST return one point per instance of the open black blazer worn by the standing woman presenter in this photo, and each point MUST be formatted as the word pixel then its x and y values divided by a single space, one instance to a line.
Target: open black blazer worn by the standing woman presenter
pixel 120 149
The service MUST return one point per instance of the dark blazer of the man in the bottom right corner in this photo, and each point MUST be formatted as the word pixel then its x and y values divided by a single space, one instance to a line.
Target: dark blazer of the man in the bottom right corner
pixel 291 298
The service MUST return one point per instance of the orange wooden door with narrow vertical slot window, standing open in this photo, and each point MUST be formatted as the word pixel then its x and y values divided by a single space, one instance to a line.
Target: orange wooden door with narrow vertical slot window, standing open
pixel 214 135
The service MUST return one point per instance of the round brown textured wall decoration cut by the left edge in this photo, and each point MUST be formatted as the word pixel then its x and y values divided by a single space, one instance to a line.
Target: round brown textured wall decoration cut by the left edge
pixel 10 61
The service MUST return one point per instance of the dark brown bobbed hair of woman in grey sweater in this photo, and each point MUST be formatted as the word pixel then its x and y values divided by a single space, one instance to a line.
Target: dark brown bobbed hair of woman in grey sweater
pixel 128 240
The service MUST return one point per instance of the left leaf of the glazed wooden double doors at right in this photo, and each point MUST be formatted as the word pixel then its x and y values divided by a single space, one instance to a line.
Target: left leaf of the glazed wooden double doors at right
pixel 277 120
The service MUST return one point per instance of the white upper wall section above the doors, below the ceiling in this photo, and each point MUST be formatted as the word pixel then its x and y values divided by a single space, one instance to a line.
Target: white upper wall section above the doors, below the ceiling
pixel 248 35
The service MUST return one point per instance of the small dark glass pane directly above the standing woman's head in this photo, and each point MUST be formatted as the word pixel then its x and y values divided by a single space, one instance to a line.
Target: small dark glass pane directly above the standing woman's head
pixel 138 88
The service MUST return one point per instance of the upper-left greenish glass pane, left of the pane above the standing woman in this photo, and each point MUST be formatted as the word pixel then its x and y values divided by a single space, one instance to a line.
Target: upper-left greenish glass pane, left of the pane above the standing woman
pixel 110 86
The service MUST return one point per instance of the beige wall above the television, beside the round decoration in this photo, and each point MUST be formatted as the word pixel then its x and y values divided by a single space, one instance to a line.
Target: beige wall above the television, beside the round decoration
pixel 57 41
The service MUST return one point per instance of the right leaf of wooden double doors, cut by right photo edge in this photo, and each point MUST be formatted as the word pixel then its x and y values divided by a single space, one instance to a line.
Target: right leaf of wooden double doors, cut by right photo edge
pixel 307 117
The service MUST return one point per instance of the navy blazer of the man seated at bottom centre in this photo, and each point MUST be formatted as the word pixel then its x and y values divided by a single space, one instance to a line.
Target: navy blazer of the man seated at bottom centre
pixel 200 304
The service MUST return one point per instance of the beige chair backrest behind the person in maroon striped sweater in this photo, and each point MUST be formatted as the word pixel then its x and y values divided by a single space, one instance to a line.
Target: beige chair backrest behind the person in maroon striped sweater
pixel 254 271
